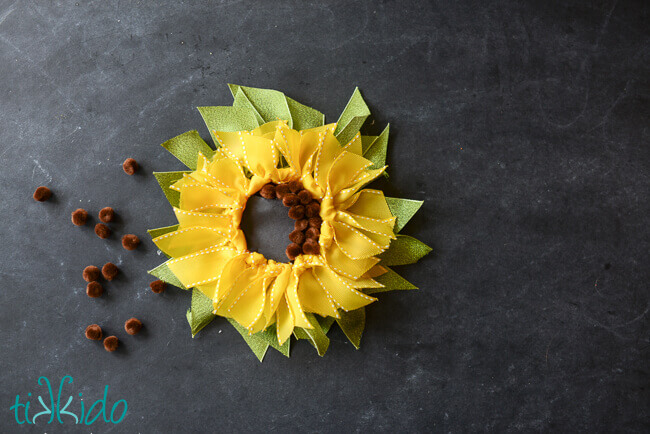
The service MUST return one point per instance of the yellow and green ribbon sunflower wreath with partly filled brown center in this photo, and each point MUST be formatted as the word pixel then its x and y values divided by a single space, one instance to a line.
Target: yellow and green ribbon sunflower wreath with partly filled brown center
pixel 267 141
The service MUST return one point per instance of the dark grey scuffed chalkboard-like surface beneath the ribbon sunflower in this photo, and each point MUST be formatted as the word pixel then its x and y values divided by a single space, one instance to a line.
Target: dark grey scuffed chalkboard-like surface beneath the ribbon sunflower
pixel 524 126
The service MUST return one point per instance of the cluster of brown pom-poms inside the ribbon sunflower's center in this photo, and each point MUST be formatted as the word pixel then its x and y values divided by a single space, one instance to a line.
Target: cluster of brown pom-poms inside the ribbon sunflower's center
pixel 305 210
